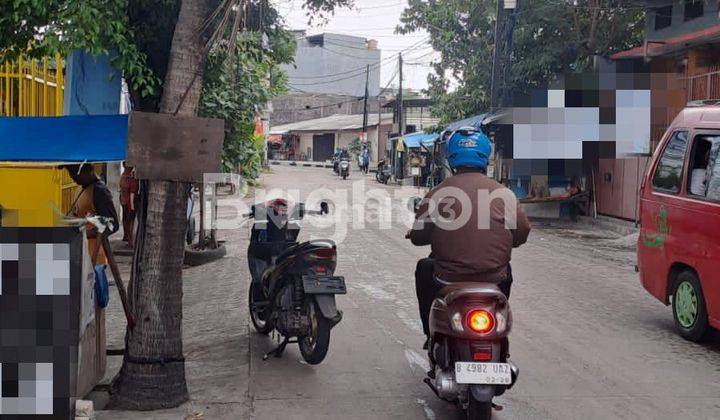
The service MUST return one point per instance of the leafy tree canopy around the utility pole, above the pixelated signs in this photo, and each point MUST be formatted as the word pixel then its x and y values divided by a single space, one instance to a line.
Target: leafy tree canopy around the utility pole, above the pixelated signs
pixel 551 38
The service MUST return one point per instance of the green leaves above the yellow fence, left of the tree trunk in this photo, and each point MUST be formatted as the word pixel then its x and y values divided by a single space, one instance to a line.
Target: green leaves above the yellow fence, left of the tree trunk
pixel 45 27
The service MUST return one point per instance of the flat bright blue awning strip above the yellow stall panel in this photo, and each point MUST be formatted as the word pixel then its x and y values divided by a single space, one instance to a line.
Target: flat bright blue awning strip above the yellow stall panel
pixel 91 138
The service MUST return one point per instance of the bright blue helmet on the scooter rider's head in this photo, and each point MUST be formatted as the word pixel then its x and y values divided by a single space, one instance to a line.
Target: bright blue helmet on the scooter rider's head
pixel 469 148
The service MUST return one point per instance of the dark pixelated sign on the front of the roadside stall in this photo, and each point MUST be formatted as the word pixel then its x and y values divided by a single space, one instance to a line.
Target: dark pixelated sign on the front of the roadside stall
pixel 40 271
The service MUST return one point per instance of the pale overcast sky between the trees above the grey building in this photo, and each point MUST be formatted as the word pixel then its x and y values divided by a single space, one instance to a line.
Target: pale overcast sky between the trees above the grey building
pixel 375 19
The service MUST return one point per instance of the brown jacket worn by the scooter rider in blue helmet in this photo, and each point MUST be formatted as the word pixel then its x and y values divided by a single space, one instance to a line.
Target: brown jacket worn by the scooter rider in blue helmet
pixel 470 245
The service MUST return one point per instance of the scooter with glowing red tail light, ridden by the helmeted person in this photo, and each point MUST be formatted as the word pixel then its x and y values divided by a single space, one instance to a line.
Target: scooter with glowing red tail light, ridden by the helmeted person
pixel 468 345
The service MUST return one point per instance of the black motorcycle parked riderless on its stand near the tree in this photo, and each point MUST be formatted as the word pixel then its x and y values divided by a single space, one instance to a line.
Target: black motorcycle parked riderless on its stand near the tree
pixel 293 284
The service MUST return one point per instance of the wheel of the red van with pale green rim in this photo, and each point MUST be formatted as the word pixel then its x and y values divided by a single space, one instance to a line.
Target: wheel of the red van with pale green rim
pixel 689 311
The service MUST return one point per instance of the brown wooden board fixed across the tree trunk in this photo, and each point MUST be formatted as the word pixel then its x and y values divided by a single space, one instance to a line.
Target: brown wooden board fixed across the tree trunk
pixel 174 148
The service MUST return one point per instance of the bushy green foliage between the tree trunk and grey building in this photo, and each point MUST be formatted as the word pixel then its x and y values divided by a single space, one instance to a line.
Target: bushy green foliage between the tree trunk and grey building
pixel 237 86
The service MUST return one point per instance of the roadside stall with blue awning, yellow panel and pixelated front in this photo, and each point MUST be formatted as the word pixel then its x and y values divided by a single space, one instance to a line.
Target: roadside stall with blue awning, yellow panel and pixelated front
pixel 46 274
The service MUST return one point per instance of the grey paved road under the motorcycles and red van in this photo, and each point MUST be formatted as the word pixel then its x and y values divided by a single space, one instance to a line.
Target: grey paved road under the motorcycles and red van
pixel 589 341
